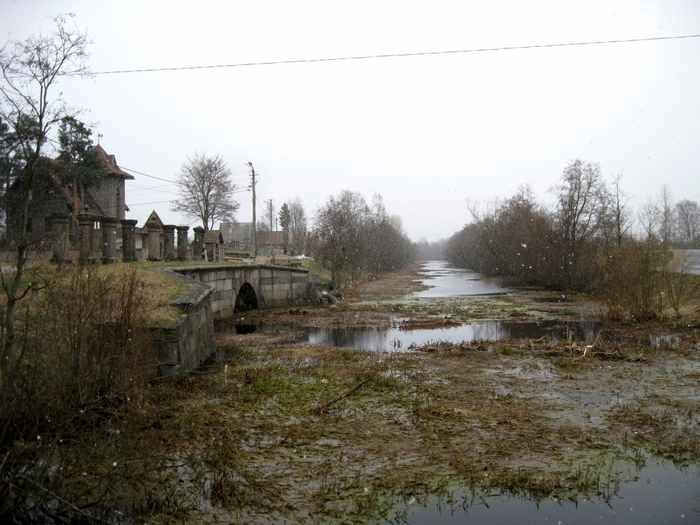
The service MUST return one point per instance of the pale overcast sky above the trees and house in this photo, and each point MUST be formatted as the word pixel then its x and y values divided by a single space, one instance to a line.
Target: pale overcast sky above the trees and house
pixel 426 131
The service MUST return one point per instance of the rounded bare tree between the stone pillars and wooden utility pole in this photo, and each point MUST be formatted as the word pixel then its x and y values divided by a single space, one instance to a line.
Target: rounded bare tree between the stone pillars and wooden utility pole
pixel 206 190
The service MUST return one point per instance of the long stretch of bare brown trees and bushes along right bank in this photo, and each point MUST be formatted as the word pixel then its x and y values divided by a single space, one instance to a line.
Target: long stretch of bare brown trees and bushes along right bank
pixel 589 240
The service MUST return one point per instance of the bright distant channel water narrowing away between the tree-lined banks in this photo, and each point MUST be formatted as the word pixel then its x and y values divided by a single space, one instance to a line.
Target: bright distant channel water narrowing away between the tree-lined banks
pixel 446 281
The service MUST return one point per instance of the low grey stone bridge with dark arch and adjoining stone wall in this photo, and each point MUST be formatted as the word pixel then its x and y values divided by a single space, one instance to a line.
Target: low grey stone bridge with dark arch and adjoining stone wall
pixel 217 291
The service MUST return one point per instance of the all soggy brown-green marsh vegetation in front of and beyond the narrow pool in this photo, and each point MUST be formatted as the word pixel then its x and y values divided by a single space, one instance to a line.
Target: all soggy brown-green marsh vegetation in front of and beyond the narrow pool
pixel 274 430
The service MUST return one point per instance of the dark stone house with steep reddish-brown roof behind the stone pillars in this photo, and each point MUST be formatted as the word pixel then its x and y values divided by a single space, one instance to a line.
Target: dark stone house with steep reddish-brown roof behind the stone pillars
pixel 48 195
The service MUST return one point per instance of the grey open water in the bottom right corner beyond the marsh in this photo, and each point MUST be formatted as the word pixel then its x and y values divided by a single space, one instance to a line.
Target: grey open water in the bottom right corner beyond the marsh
pixel 661 493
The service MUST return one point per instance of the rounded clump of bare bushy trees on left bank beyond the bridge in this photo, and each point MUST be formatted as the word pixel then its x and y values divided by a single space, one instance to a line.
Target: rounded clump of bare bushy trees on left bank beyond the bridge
pixel 353 239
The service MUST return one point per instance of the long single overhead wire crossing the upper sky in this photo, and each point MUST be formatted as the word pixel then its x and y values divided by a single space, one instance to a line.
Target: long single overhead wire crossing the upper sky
pixel 396 55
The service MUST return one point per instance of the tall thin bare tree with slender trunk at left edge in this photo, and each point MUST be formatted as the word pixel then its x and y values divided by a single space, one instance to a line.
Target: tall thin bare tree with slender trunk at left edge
pixel 30 106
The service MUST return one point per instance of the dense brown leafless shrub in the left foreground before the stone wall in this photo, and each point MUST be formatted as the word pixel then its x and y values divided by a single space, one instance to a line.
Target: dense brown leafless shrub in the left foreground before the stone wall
pixel 80 364
